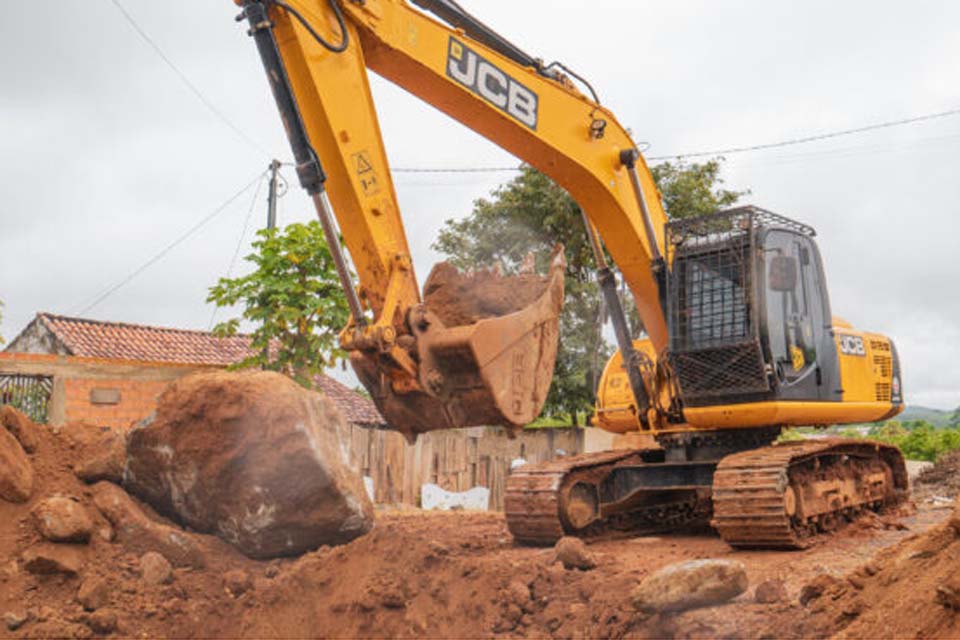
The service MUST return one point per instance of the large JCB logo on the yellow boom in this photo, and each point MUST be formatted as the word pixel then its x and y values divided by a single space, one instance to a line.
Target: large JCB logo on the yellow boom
pixel 493 85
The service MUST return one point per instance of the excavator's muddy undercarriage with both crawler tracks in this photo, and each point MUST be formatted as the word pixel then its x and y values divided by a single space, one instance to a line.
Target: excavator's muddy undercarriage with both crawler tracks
pixel 775 496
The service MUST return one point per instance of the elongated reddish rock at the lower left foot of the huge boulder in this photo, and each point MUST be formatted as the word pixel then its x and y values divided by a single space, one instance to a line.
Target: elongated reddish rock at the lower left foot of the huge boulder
pixel 139 534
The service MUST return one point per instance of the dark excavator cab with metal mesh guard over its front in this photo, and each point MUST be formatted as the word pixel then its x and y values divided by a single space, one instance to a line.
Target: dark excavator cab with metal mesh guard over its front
pixel 749 312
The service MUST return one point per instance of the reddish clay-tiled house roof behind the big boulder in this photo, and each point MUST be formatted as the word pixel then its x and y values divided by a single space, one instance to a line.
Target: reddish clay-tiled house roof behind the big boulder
pixel 121 341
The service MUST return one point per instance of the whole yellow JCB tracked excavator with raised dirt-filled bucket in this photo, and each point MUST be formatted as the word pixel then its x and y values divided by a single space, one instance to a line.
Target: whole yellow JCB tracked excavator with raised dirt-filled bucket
pixel 740 341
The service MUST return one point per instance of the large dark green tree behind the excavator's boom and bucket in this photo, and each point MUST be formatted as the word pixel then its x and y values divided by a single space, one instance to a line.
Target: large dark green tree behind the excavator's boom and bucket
pixel 532 213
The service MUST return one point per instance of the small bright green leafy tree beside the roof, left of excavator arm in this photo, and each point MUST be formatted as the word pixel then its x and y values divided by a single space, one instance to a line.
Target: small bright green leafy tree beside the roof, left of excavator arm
pixel 293 296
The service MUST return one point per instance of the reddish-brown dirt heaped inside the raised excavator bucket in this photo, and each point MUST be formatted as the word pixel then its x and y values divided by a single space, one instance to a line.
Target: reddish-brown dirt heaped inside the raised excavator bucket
pixel 465 298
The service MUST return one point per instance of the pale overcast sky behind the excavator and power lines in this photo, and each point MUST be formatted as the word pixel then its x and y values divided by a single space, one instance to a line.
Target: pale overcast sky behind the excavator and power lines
pixel 107 157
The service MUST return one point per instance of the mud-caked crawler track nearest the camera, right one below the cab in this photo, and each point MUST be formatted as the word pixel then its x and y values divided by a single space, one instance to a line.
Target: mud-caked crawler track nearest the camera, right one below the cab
pixel 783 496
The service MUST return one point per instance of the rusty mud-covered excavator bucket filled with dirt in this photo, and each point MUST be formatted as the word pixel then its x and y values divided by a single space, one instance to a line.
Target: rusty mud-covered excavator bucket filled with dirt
pixel 486 346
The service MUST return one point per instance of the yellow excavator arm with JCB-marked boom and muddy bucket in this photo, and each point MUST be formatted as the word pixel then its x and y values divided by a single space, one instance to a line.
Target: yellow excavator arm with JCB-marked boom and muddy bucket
pixel 422 374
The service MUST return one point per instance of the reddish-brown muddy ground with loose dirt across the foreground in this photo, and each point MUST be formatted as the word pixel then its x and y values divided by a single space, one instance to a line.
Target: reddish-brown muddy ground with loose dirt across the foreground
pixel 459 575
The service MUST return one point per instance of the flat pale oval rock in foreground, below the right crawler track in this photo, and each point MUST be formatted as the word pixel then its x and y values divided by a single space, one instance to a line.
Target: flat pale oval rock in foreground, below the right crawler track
pixel 688 585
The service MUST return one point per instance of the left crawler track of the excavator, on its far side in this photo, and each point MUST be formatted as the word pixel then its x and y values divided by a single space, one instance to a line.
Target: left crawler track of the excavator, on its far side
pixel 540 501
